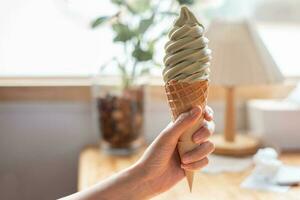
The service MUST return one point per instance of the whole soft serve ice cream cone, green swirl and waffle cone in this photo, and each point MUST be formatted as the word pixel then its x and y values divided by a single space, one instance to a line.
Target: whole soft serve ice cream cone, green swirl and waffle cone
pixel 186 73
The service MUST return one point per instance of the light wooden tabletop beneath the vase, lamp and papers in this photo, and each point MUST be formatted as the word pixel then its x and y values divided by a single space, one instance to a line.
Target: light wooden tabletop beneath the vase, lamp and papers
pixel 94 166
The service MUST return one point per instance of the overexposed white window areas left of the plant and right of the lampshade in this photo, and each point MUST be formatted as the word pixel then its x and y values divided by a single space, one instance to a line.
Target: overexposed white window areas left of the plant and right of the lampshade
pixel 53 38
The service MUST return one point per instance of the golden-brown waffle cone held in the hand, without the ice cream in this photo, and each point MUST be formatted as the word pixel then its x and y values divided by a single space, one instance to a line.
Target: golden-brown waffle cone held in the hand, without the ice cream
pixel 182 96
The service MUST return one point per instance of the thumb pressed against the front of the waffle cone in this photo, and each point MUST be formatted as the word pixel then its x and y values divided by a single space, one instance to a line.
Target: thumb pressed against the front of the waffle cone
pixel 181 124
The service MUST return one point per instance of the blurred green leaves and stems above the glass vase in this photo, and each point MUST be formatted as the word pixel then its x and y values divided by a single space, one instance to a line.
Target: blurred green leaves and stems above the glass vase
pixel 130 26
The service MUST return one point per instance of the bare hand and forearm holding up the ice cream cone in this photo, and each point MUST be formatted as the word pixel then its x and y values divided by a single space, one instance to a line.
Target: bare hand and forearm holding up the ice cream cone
pixel 160 167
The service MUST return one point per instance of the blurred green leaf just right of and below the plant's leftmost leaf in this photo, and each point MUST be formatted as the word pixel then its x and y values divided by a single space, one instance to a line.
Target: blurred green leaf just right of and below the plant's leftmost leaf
pixel 123 33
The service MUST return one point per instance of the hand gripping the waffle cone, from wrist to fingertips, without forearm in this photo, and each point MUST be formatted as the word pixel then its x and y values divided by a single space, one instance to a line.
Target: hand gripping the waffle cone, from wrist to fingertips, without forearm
pixel 161 165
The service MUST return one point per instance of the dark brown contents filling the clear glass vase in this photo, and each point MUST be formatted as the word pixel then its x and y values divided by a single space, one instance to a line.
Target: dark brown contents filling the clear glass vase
pixel 121 117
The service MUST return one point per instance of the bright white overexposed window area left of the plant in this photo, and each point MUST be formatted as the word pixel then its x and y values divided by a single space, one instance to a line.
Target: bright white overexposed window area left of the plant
pixel 47 38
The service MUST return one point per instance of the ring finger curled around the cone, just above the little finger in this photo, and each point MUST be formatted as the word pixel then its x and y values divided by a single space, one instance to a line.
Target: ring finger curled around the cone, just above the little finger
pixel 198 153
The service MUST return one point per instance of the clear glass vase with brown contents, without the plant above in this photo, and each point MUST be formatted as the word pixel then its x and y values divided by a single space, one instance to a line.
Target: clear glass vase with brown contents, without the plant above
pixel 120 118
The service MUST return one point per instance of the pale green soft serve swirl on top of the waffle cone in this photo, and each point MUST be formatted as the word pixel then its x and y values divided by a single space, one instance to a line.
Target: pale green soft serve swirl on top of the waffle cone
pixel 187 54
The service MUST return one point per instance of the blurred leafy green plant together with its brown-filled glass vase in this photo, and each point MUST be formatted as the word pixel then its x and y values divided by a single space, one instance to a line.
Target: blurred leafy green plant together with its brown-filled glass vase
pixel 120 109
